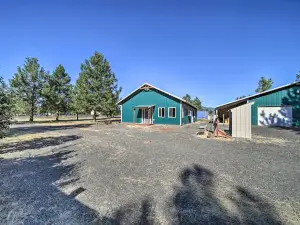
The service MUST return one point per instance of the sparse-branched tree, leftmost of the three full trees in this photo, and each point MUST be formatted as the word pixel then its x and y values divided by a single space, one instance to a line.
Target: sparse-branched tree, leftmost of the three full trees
pixel 27 84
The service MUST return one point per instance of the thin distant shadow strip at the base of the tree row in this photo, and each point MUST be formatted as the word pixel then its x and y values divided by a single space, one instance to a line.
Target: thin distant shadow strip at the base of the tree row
pixel 34 129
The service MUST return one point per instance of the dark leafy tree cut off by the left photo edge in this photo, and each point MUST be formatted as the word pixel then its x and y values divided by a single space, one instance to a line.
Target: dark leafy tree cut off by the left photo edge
pixel 5 108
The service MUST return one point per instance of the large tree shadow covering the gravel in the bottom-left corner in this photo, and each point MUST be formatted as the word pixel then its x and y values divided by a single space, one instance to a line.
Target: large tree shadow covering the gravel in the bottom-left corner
pixel 29 193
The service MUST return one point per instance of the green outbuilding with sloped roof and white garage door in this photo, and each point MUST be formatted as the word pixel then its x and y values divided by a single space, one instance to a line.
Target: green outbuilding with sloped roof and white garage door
pixel 276 107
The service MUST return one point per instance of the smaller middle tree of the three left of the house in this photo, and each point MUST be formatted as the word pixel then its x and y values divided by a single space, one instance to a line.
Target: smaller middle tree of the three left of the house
pixel 57 91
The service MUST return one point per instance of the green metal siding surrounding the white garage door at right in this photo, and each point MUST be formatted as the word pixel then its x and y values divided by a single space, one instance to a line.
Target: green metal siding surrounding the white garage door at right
pixel 285 97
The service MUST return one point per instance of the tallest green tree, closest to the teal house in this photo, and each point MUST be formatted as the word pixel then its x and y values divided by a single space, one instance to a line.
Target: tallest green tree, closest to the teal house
pixel 99 85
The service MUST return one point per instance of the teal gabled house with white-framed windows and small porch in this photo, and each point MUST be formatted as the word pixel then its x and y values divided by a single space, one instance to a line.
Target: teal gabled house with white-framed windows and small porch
pixel 151 105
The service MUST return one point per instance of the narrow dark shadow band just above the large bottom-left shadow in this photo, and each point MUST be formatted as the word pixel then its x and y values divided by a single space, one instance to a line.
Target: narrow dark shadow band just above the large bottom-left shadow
pixel 36 143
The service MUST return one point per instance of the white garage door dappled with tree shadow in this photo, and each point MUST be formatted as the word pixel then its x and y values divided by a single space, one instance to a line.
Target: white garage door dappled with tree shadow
pixel 275 116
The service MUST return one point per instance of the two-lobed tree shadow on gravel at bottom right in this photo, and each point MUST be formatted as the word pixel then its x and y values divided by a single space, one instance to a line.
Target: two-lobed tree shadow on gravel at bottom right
pixel 196 201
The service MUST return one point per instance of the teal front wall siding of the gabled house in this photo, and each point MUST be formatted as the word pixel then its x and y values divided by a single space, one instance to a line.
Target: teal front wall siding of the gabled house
pixel 151 97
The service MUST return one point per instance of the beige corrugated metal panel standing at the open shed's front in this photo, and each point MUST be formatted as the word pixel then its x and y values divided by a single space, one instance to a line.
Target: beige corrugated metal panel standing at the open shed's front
pixel 240 121
